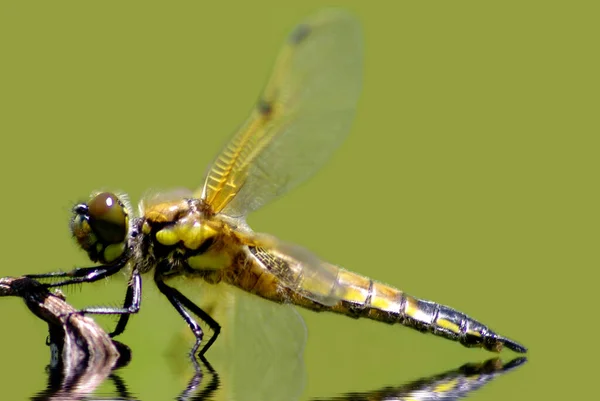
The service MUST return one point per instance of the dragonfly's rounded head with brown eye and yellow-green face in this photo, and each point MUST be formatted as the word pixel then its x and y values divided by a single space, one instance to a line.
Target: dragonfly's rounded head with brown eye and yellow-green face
pixel 101 226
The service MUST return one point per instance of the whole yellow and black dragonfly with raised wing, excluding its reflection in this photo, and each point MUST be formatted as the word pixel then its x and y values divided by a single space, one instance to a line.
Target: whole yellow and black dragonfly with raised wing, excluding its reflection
pixel 304 113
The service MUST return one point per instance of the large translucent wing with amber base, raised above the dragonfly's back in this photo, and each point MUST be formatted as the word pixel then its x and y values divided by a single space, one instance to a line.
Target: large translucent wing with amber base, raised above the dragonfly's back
pixel 304 113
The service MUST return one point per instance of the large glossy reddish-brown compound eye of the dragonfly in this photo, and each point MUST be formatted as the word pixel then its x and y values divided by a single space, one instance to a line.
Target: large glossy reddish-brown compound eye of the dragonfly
pixel 108 218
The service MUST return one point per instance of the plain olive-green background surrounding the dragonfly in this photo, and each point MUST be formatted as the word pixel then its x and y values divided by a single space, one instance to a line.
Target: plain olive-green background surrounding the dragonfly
pixel 476 131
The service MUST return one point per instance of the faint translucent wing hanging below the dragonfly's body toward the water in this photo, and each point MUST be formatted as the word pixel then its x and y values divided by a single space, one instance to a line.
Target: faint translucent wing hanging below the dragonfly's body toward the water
pixel 259 354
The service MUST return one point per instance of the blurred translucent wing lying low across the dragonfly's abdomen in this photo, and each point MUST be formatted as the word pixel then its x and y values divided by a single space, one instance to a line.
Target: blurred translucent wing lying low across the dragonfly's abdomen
pixel 298 269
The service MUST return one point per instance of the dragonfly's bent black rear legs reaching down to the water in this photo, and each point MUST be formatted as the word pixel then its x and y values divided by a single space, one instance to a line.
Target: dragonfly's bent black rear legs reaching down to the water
pixel 182 304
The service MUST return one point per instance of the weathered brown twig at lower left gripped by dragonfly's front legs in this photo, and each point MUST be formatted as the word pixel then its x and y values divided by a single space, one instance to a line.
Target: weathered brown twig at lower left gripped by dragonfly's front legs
pixel 82 354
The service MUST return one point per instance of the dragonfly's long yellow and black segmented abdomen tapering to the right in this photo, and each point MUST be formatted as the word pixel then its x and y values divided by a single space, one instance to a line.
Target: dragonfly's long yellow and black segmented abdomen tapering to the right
pixel 290 274
